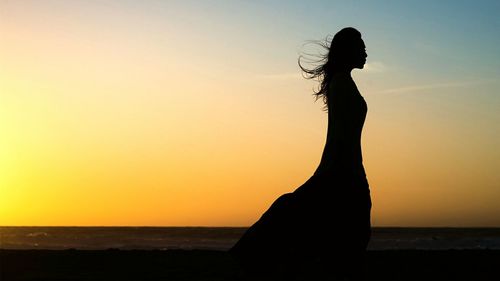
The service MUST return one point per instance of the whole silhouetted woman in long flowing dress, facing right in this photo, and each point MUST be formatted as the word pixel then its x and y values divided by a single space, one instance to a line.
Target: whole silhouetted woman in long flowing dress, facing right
pixel 323 227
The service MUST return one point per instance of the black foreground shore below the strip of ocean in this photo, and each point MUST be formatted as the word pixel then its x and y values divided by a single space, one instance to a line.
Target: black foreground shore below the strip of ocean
pixel 214 265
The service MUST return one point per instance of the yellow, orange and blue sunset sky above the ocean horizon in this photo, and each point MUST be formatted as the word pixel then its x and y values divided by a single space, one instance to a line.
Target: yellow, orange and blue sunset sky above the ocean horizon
pixel 194 113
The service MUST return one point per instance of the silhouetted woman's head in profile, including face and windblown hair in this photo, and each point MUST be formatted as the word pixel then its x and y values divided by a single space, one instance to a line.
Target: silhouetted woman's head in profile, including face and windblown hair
pixel 345 52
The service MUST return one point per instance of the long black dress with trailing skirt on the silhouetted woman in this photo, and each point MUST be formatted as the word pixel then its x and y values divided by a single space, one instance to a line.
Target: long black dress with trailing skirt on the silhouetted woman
pixel 328 217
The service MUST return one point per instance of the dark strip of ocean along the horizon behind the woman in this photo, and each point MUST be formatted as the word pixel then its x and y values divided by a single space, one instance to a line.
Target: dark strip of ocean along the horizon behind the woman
pixel 222 238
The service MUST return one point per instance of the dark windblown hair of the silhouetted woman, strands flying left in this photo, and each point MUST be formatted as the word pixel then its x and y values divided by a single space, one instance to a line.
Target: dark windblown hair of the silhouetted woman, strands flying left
pixel 337 55
